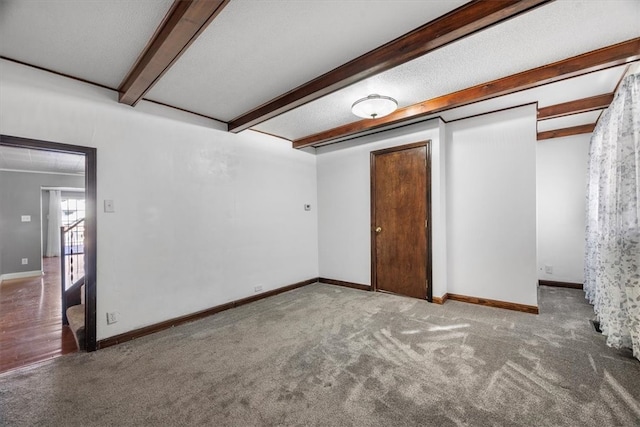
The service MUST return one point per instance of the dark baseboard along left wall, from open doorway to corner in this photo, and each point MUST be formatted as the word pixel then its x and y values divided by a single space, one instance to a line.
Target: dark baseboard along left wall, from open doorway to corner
pixel 137 333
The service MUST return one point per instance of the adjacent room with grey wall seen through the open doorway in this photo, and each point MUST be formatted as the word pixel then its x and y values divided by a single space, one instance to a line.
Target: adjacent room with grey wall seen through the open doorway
pixel 43 212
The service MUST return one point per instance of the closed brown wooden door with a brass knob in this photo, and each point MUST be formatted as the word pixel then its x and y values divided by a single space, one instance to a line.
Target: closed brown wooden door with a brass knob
pixel 400 205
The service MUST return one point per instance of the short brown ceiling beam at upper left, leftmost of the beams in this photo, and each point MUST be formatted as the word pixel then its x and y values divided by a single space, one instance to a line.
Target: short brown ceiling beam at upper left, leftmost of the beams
pixel 184 22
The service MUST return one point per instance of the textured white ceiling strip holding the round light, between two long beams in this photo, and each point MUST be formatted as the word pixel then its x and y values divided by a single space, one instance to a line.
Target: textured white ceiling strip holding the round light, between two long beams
pixel 550 33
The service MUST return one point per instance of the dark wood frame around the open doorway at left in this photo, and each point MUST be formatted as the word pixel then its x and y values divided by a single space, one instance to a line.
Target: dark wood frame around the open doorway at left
pixel 90 221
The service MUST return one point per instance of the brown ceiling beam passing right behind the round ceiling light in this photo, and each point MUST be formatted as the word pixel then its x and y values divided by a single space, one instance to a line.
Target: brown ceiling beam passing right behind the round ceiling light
pixel 596 60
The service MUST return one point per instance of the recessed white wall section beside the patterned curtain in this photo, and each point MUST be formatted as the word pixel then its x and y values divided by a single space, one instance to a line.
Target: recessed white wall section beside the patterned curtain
pixel 562 181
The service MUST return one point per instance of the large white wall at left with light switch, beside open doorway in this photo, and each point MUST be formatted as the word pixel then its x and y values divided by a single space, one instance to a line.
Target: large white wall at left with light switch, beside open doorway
pixel 202 215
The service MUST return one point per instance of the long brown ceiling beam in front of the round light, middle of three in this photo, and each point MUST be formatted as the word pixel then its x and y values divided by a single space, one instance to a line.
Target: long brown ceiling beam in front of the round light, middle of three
pixel 457 24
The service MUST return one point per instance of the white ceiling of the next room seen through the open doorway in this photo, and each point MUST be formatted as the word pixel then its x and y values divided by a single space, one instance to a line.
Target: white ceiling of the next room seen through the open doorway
pixel 23 159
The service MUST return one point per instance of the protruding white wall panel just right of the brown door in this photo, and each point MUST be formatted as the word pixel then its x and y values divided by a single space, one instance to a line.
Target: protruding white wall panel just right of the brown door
pixel 491 206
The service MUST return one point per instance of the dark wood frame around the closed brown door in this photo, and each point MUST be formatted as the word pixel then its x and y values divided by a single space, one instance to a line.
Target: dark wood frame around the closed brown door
pixel 427 229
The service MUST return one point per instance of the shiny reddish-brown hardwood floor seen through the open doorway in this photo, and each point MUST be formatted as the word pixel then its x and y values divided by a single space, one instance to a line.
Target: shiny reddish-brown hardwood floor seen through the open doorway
pixel 30 320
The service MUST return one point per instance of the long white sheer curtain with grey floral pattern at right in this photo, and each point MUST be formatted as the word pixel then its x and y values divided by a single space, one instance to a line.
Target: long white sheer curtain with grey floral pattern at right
pixel 612 262
